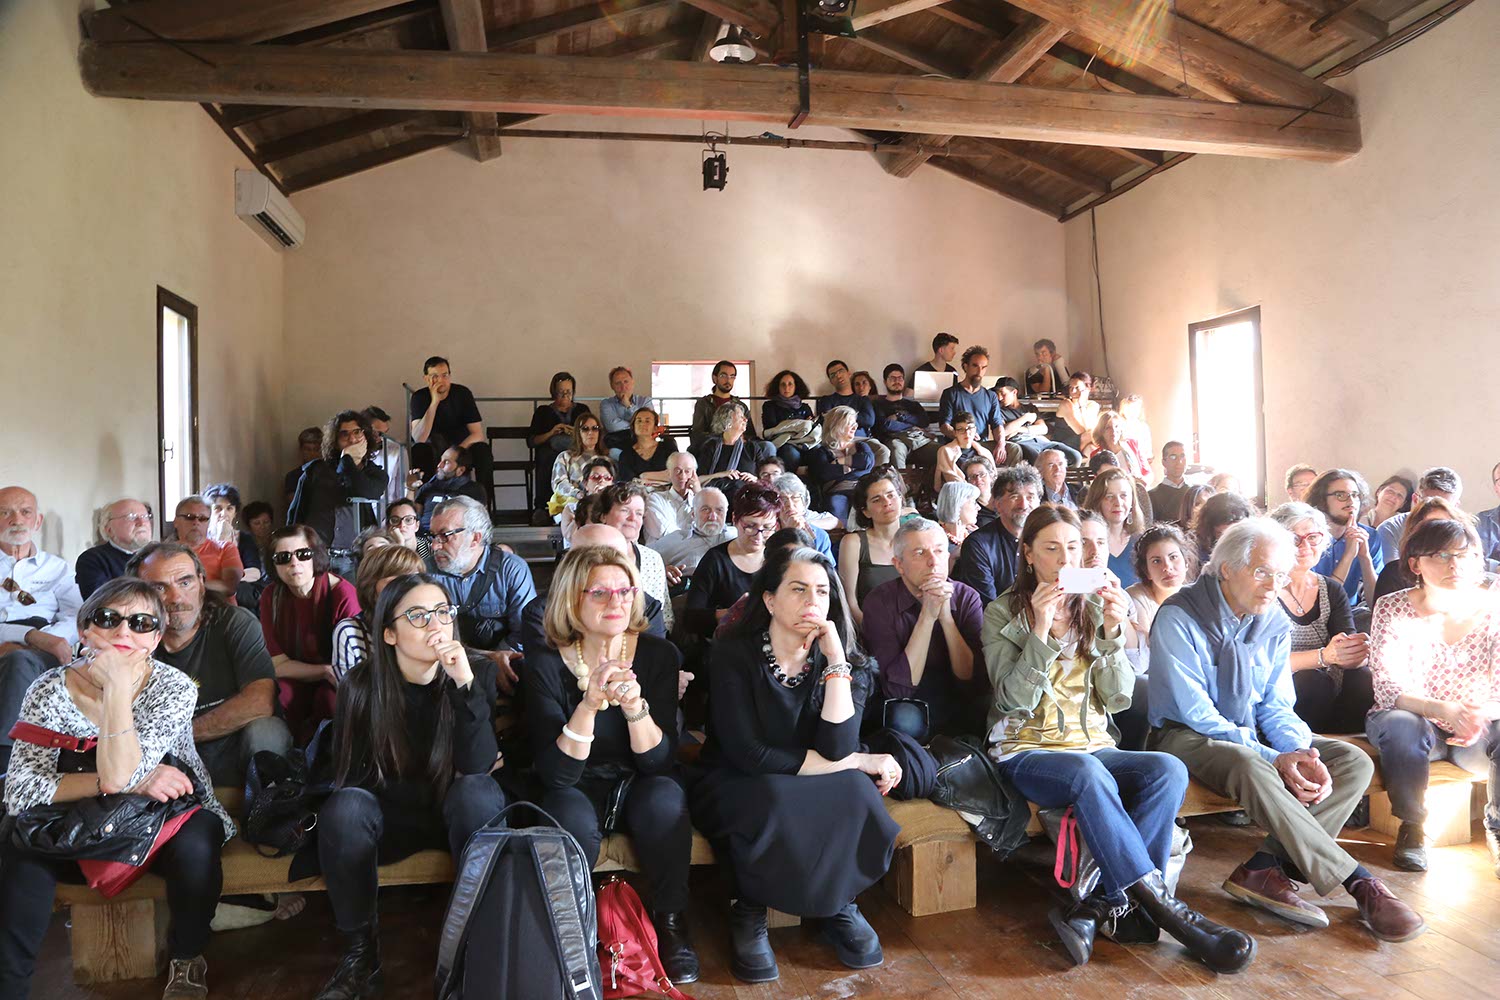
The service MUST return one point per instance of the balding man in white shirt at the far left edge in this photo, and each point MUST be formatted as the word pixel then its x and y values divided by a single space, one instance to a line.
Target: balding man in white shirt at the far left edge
pixel 38 608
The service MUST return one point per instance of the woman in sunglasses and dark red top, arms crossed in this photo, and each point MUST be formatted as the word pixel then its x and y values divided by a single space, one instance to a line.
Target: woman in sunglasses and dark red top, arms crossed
pixel 299 612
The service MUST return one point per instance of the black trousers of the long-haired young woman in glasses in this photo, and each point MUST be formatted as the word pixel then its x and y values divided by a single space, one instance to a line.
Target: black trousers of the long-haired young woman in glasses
pixel 352 828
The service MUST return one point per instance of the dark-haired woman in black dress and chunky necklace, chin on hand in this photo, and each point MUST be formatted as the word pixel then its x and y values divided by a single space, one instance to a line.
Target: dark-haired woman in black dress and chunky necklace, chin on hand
pixel 790 801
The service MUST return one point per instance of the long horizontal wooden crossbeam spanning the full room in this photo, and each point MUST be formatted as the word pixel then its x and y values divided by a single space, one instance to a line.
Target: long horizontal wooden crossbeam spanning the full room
pixel 539 85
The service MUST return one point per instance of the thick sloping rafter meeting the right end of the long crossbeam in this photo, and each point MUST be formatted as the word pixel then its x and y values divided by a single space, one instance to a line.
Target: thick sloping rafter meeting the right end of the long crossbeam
pixel 1204 59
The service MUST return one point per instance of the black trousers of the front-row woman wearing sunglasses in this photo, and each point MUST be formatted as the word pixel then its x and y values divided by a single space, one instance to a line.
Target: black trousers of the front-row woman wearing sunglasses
pixel 190 863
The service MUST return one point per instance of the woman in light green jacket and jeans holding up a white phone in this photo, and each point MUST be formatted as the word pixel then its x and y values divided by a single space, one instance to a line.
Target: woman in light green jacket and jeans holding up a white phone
pixel 1058 666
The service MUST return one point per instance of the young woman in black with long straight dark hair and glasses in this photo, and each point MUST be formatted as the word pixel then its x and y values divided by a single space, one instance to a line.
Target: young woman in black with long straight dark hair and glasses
pixel 415 747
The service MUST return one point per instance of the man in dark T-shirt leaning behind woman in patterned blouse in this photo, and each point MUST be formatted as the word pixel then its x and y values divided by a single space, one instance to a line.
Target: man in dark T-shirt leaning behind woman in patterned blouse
pixel 221 648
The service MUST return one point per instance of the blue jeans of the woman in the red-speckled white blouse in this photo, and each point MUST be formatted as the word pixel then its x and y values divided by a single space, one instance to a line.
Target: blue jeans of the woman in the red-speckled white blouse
pixel 1408 743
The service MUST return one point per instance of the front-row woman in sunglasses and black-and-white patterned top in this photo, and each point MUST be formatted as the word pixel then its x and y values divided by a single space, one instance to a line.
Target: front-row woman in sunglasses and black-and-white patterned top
pixel 139 711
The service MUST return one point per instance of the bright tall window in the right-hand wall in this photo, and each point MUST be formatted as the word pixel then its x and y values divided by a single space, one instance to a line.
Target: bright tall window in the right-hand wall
pixel 1228 400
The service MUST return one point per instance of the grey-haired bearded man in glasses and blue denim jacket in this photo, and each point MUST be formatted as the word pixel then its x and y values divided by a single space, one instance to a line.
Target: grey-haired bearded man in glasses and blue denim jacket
pixel 490 585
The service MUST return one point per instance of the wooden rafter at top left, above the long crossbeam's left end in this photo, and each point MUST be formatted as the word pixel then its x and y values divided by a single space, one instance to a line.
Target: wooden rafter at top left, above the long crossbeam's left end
pixel 244 22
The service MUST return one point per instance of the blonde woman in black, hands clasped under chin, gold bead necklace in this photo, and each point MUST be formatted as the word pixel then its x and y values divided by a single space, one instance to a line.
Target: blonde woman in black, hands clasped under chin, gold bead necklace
pixel 602 711
